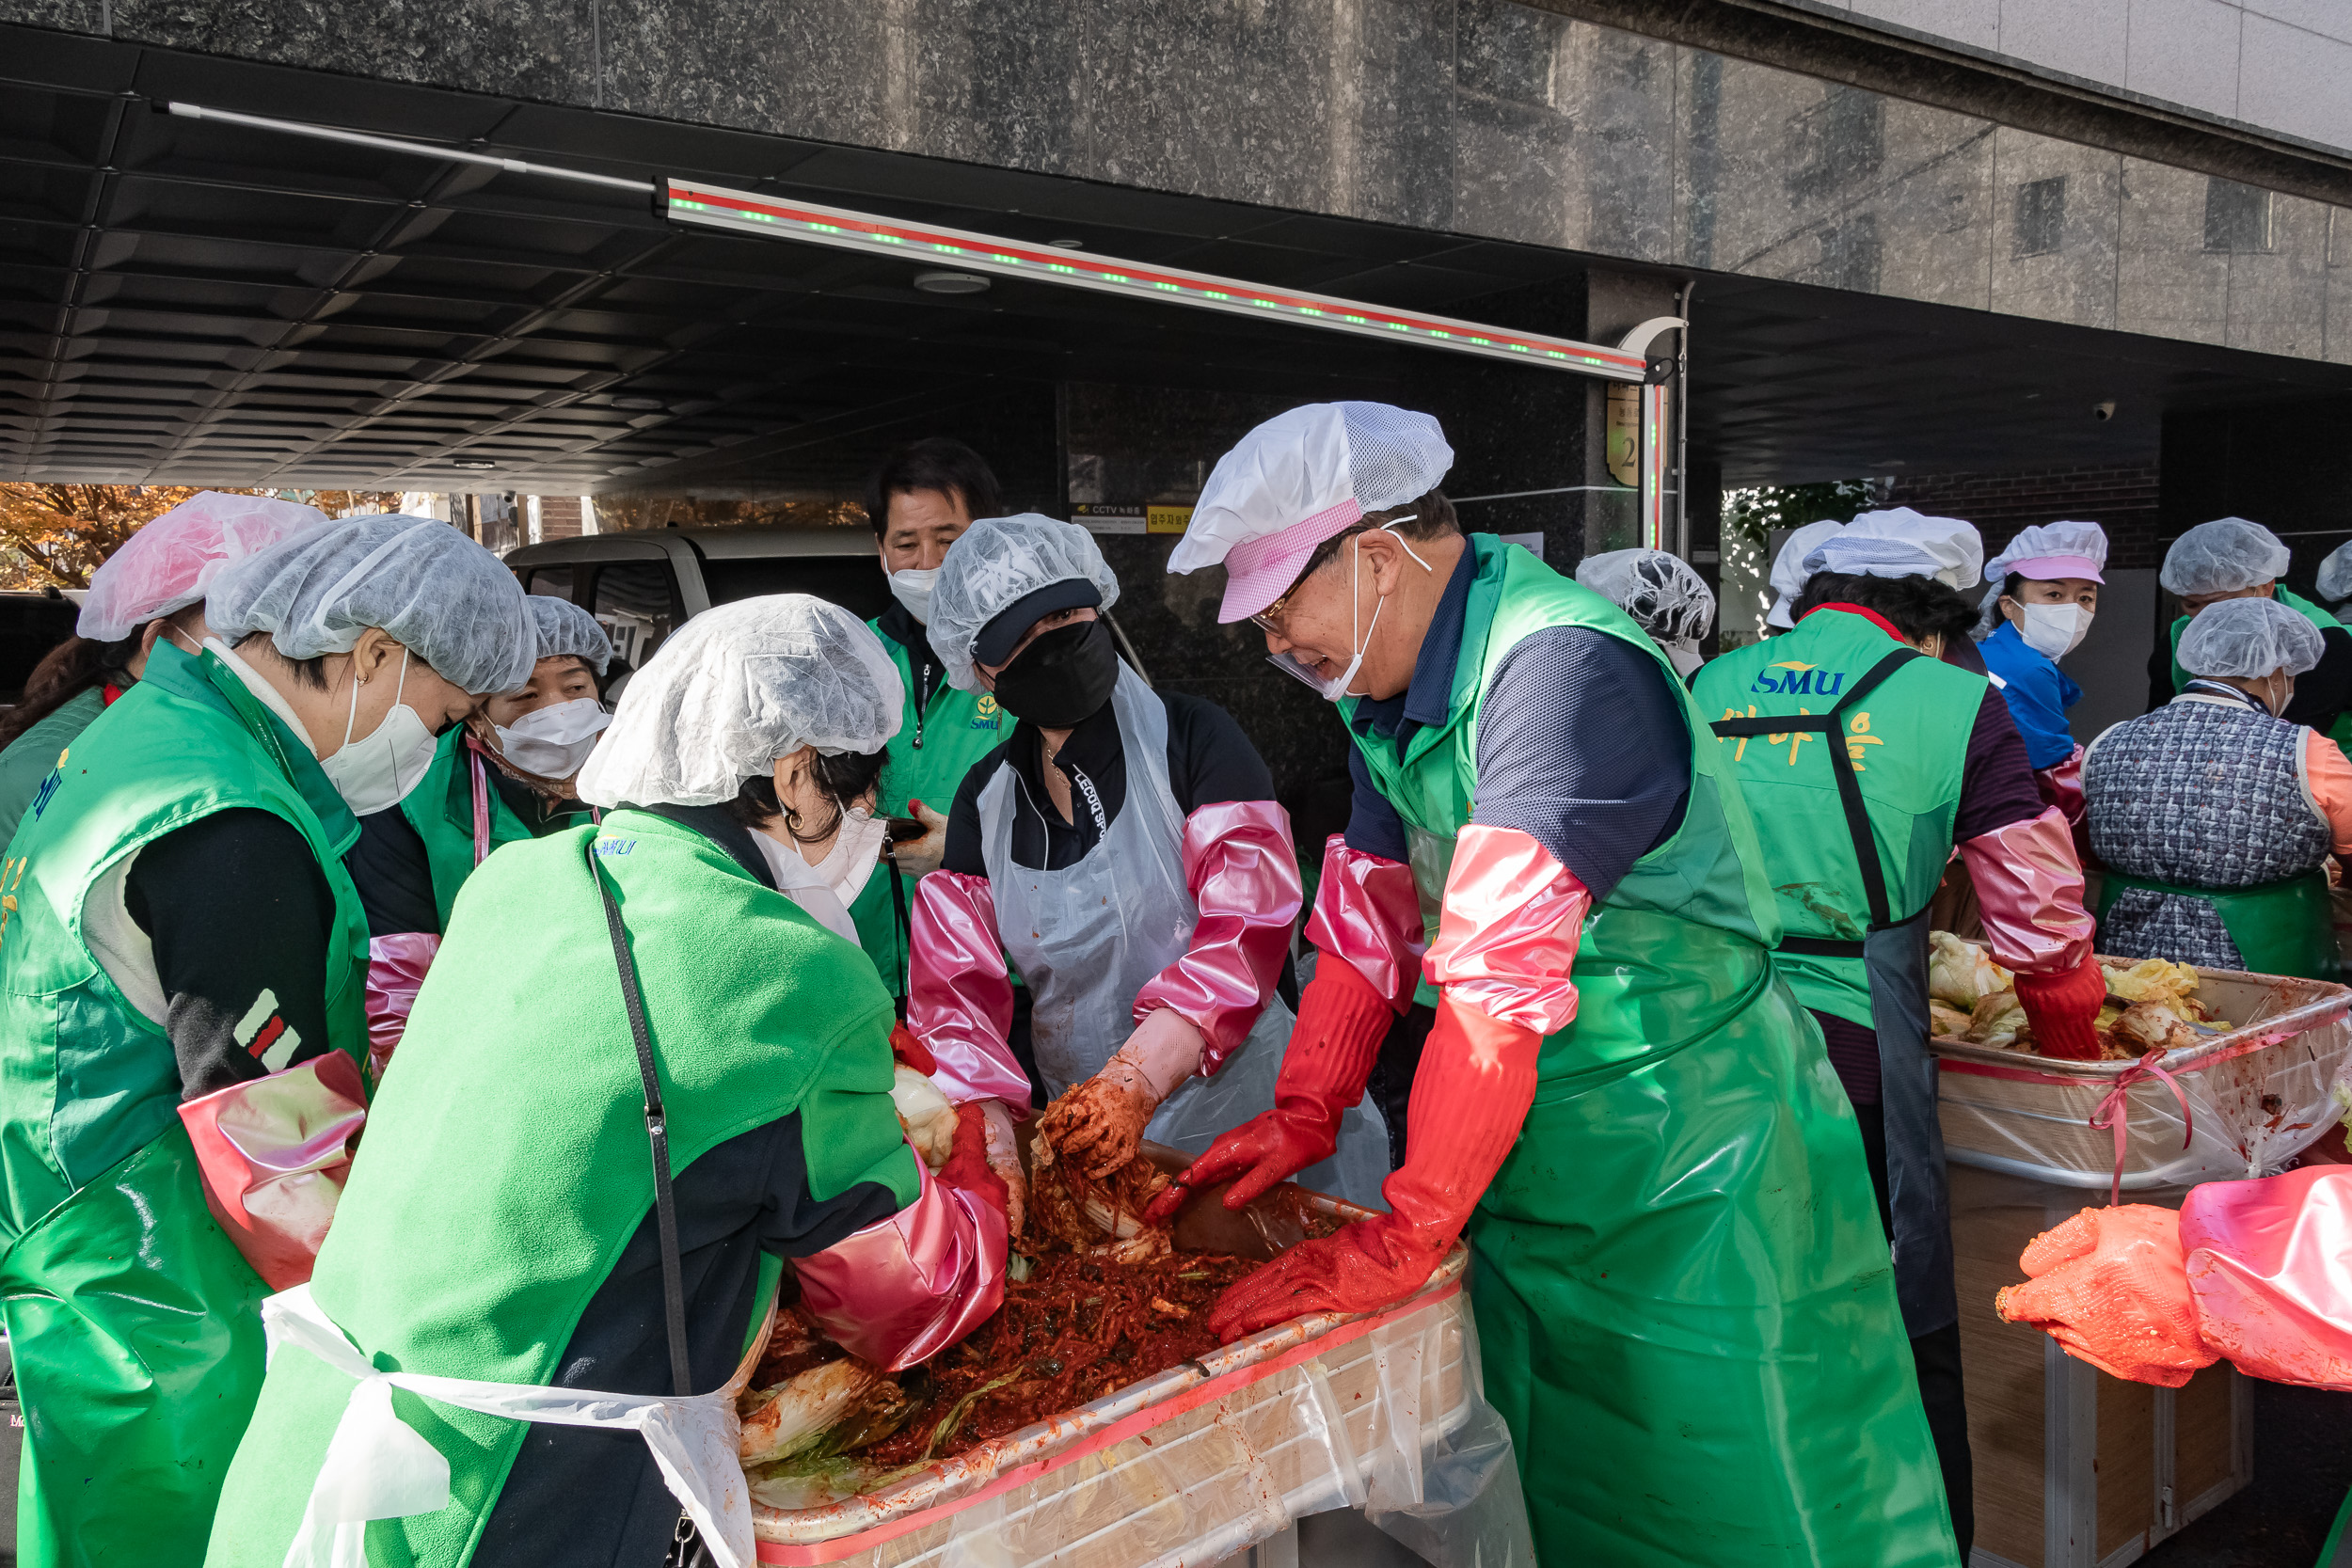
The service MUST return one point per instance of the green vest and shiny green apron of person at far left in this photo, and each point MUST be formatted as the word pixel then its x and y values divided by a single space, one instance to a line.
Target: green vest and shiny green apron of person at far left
pixel 133 1320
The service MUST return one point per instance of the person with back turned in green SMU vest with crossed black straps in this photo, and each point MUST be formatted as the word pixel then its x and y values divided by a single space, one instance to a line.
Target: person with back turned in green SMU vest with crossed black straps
pixel 1909 760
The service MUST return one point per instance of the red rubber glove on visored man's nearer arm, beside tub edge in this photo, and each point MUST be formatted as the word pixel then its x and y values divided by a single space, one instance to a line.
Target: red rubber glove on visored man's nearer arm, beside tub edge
pixel 1476 1083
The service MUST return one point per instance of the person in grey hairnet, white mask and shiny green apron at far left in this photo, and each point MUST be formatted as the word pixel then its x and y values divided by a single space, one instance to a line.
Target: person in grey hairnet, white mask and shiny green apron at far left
pixel 182 977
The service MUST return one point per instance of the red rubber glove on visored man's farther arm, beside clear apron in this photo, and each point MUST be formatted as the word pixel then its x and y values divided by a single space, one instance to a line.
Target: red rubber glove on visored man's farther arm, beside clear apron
pixel 1330 1054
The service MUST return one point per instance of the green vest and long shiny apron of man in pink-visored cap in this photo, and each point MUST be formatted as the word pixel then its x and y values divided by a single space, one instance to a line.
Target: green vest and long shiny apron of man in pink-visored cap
pixel 1685 1301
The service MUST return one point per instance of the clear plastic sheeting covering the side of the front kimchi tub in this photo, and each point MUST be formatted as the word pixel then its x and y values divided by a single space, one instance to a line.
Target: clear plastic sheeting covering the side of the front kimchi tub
pixel 1384 1414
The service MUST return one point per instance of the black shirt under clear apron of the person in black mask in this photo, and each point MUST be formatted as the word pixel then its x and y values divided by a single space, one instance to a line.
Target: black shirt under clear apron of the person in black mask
pixel 1208 756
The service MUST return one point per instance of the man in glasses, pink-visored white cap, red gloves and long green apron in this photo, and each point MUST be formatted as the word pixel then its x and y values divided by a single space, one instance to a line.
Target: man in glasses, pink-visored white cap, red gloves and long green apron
pixel 1664 1193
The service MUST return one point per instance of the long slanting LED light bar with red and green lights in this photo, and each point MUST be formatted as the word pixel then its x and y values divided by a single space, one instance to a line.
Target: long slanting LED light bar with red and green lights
pixel 930 246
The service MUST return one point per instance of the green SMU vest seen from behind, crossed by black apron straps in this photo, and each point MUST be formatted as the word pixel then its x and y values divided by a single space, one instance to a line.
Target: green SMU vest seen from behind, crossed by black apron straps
pixel 1909 744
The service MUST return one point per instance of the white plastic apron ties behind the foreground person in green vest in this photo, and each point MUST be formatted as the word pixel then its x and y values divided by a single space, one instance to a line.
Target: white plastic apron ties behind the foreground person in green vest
pixel 382 1468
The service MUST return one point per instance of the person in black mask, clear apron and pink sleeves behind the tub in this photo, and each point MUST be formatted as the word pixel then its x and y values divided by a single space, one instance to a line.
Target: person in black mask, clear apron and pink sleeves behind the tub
pixel 1128 852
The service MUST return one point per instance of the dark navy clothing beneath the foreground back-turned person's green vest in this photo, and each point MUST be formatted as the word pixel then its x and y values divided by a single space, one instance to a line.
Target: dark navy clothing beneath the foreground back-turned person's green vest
pixel 582 1496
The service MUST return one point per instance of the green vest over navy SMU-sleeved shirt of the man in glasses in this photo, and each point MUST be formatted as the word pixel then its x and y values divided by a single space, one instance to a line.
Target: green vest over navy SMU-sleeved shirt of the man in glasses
pixel 1702 878
